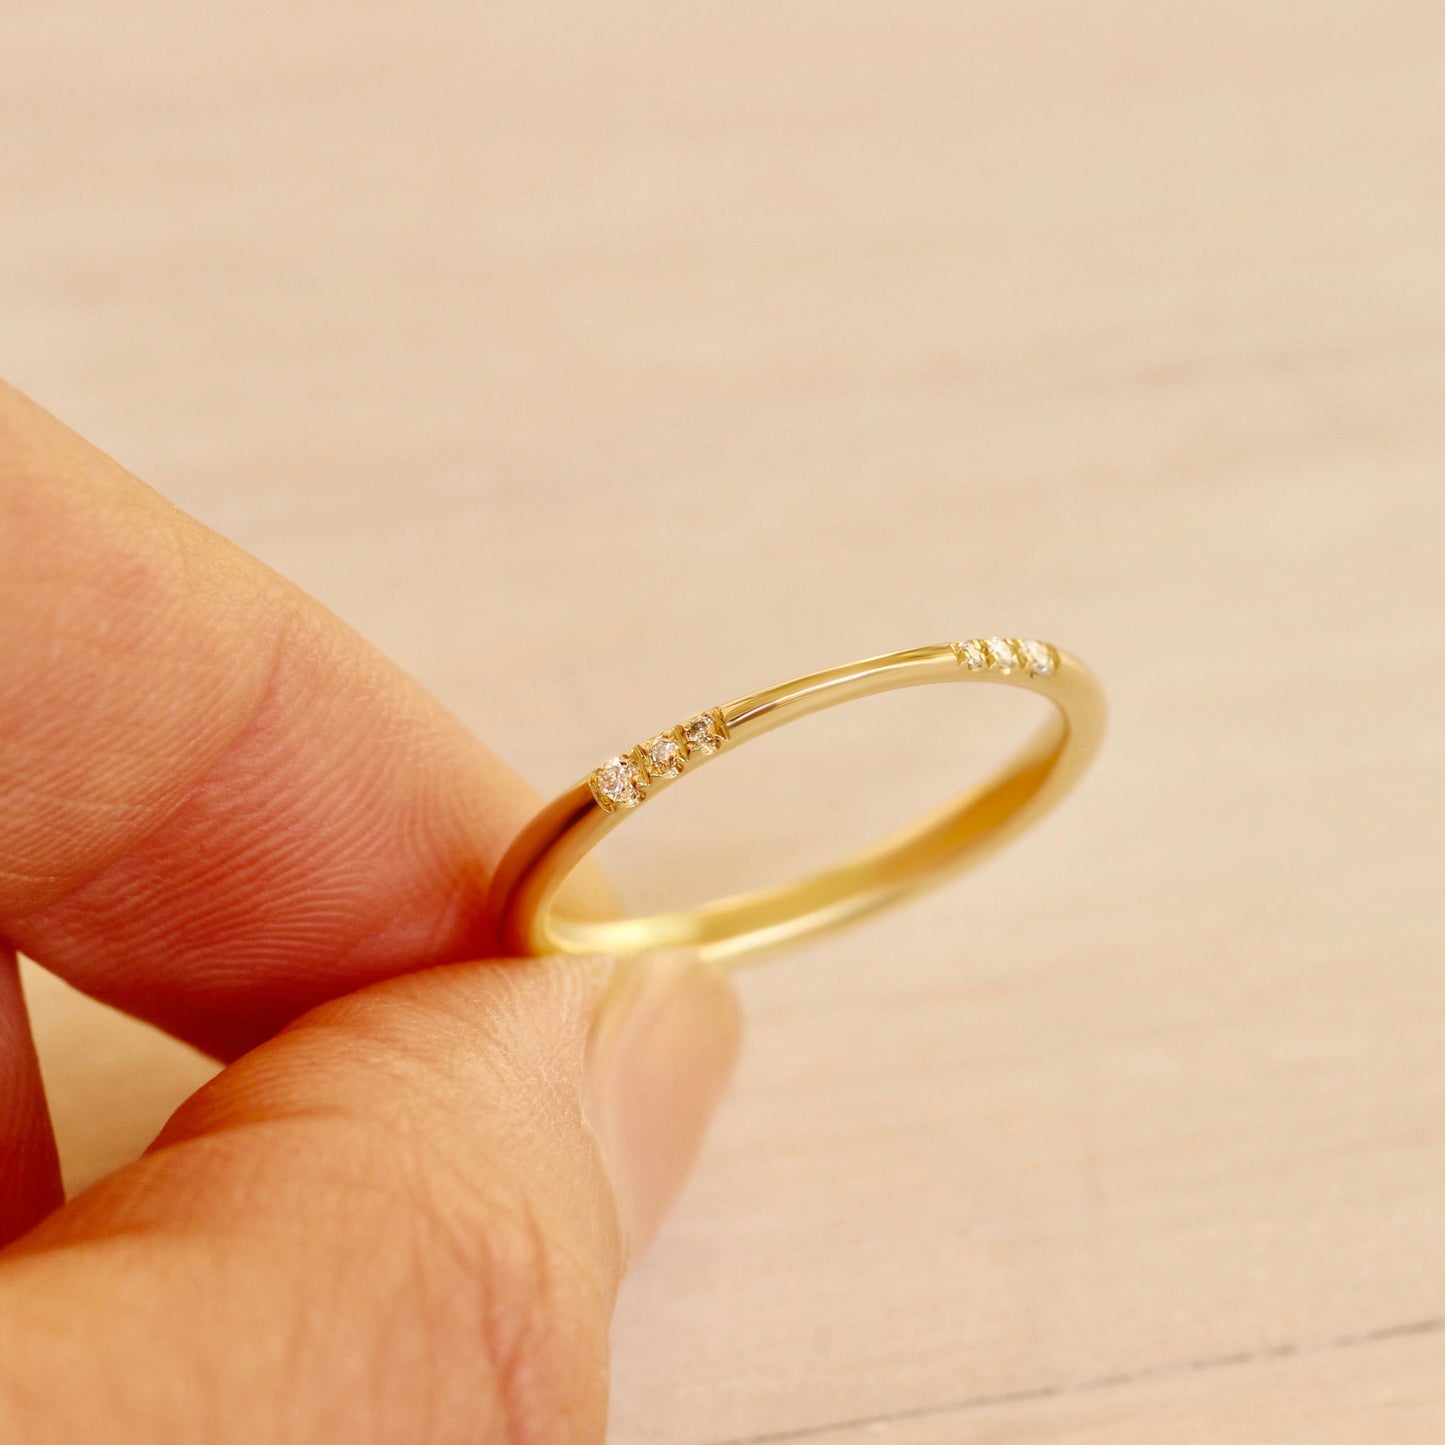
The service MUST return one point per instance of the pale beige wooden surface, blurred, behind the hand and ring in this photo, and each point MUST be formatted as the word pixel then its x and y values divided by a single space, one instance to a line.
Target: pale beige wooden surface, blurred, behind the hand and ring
pixel 606 362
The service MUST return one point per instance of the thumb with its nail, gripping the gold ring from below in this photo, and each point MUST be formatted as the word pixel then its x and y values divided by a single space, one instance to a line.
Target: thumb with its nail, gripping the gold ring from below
pixel 394 1222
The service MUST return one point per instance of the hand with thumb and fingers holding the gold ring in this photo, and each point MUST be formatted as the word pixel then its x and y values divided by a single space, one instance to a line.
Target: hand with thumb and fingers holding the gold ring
pixel 402 1213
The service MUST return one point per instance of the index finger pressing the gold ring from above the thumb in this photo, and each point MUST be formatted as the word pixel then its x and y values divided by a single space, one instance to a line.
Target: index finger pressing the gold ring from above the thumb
pixel 219 806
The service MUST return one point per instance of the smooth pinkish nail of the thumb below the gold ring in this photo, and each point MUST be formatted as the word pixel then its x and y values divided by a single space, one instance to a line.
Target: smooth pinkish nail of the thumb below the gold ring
pixel 663 1047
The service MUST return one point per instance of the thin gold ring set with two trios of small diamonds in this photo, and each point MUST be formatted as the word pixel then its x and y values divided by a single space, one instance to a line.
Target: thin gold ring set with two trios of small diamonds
pixel 525 894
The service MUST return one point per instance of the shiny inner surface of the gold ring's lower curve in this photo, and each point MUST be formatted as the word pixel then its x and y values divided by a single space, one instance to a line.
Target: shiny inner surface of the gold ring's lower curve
pixel 950 837
